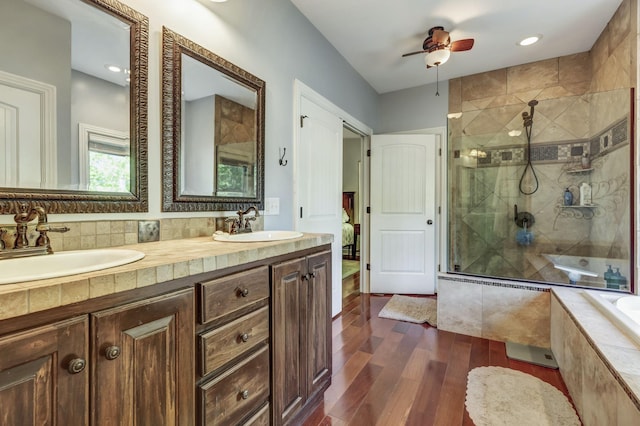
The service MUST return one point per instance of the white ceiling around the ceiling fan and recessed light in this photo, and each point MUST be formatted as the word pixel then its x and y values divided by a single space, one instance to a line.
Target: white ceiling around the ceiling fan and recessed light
pixel 373 34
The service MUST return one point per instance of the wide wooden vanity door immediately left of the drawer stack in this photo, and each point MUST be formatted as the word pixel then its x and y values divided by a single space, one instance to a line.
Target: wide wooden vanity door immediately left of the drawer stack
pixel 143 371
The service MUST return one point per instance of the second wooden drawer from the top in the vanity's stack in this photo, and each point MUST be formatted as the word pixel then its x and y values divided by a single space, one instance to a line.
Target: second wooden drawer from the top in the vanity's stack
pixel 221 345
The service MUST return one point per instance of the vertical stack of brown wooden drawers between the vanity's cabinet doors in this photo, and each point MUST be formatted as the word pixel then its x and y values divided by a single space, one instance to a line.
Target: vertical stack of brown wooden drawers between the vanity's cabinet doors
pixel 233 349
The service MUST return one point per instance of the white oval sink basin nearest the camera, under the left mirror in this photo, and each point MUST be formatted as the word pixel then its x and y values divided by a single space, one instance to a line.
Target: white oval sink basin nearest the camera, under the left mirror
pixel 64 263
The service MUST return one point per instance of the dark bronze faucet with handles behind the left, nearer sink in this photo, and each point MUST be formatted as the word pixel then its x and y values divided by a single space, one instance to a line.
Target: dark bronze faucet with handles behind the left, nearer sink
pixel 21 246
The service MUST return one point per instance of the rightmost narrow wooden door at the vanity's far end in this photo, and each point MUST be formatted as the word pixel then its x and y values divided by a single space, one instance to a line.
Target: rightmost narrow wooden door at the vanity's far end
pixel 318 333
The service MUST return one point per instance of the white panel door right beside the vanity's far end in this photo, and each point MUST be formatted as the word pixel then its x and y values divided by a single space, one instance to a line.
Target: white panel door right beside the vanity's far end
pixel 319 184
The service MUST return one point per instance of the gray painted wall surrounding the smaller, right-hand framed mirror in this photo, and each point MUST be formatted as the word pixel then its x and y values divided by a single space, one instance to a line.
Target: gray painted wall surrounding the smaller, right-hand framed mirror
pixel 274 41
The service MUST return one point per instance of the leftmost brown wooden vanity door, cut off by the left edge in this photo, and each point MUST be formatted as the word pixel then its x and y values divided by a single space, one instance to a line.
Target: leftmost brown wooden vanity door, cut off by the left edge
pixel 43 379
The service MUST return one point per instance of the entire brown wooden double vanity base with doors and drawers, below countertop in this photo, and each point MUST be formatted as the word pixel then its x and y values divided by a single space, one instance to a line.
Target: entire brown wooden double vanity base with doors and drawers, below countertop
pixel 249 344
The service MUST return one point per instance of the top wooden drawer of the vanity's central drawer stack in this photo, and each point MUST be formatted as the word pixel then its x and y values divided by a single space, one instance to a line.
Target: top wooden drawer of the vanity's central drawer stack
pixel 232 293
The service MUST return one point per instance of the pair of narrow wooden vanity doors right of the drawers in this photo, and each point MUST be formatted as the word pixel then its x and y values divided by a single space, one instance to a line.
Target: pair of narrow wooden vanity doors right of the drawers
pixel 301 320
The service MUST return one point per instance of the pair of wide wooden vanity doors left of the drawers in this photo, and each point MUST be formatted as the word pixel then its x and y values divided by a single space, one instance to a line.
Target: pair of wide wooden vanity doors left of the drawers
pixel 131 364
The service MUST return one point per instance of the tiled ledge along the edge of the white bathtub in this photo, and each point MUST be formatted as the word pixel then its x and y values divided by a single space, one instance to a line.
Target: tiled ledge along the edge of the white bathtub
pixel 616 349
